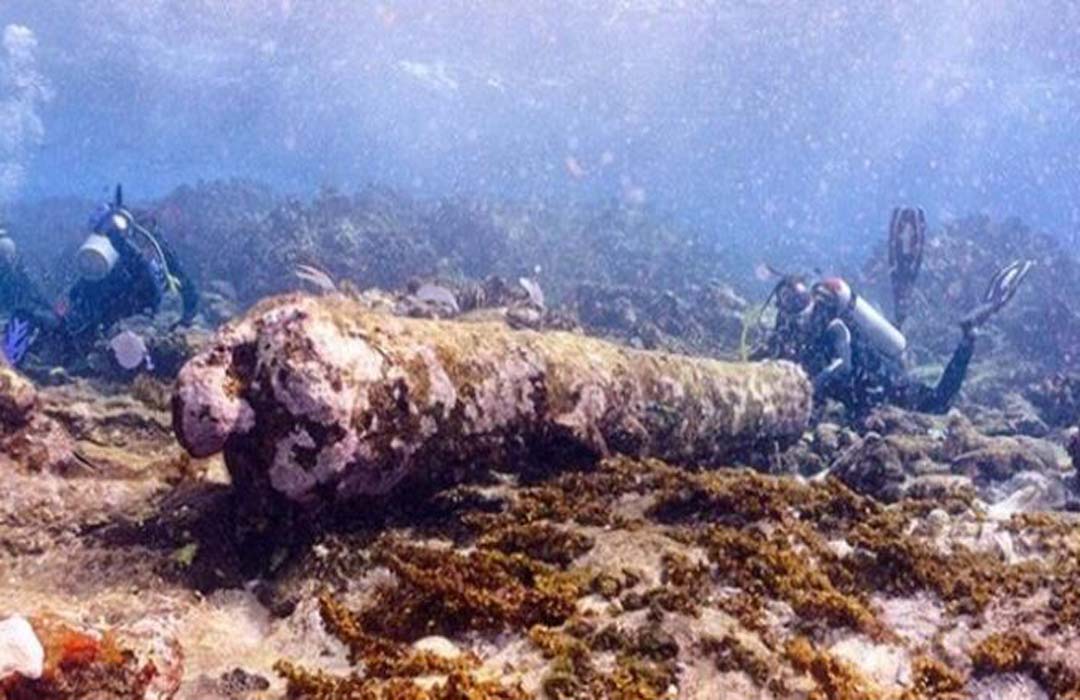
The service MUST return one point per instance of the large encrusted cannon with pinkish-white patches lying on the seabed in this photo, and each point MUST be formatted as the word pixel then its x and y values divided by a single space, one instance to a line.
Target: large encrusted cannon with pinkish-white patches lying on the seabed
pixel 322 399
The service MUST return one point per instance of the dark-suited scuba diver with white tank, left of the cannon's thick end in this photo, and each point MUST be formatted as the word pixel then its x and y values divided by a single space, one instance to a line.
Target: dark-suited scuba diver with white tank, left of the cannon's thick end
pixel 125 270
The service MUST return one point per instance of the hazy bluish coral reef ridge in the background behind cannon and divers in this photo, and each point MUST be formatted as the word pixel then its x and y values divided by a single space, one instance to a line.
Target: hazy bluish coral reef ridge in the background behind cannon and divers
pixel 630 273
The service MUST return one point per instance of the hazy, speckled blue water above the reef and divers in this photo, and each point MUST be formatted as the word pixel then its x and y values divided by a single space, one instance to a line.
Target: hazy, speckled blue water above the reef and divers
pixel 765 123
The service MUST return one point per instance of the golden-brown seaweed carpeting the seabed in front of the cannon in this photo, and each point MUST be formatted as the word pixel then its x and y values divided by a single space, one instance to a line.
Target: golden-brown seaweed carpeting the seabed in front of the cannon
pixel 762 539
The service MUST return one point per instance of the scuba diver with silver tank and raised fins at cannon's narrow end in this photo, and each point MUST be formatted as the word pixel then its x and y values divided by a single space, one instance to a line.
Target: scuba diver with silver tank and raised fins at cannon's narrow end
pixel 853 353
